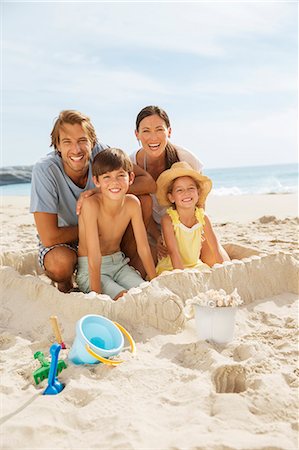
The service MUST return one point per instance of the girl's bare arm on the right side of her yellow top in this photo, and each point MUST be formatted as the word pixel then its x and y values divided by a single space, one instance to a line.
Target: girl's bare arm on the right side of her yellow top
pixel 212 252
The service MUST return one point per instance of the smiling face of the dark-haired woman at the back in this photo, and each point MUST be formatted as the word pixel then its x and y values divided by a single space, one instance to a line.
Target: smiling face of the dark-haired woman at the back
pixel 153 134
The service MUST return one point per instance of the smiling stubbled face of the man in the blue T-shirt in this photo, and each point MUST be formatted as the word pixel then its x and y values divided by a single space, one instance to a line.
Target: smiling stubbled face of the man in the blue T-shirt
pixel 75 149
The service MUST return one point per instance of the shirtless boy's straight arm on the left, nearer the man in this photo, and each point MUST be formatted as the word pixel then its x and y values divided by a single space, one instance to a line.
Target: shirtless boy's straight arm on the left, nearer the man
pixel 88 219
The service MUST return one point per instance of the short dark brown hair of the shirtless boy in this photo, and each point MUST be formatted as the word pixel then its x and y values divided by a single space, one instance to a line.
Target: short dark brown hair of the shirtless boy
pixel 111 159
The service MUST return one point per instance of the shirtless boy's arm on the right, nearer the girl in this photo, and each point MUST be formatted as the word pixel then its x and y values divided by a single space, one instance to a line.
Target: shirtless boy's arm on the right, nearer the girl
pixel 140 235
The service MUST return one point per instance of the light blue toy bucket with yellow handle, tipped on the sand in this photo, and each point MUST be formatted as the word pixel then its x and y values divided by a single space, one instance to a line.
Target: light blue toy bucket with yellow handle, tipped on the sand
pixel 98 339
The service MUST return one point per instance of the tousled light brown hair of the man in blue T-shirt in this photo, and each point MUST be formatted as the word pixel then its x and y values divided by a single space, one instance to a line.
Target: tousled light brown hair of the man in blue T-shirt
pixel 72 117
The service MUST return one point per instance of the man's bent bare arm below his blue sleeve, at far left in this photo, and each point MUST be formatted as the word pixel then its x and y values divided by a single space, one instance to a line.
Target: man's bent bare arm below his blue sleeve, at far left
pixel 50 233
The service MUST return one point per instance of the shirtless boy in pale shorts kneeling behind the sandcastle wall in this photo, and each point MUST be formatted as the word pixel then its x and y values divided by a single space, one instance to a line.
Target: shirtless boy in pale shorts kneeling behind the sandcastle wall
pixel 102 267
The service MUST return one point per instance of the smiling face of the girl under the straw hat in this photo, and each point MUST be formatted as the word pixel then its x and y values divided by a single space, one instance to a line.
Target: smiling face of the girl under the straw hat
pixel 184 193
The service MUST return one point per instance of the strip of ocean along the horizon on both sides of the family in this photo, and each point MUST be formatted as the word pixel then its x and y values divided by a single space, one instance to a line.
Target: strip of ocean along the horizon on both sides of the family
pixel 270 179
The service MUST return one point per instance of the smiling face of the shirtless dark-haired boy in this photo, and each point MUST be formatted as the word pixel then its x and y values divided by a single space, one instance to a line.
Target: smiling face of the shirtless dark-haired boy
pixel 115 184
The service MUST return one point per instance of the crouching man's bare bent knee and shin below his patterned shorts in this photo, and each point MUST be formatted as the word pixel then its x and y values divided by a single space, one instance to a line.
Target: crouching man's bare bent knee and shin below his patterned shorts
pixel 59 264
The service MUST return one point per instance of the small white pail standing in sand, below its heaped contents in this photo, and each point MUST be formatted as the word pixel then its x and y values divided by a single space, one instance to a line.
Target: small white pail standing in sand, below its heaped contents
pixel 215 324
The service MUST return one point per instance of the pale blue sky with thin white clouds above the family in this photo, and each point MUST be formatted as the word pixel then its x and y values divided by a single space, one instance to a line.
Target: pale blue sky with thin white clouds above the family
pixel 225 72
